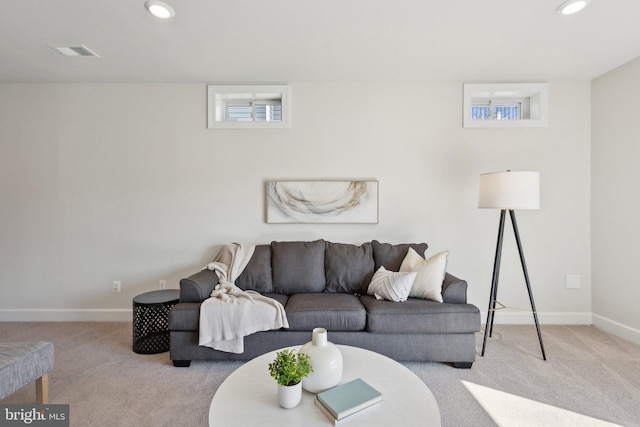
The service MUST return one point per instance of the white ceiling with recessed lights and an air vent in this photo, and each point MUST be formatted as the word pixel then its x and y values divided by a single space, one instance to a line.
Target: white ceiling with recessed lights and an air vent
pixel 291 41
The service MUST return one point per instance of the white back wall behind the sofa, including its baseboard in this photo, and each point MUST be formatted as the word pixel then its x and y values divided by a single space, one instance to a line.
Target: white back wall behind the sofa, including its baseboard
pixel 124 182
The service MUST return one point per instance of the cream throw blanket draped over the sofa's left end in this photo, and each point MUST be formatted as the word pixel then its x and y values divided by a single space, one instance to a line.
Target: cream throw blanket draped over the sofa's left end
pixel 231 313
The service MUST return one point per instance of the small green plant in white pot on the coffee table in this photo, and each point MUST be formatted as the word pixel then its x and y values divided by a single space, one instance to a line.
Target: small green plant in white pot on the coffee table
pixel 288 369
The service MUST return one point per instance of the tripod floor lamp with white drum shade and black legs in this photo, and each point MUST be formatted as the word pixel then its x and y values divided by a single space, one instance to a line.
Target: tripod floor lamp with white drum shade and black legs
pixel 509 191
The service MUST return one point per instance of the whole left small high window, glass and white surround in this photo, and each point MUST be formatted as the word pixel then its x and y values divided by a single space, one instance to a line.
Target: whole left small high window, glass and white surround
pixel 248 106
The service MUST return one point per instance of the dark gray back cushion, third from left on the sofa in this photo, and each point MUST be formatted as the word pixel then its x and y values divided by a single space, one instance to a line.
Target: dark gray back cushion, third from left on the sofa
pixel 348 268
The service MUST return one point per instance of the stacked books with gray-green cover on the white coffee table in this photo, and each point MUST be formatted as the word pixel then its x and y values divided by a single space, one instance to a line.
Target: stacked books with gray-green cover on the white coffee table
pixel 342 402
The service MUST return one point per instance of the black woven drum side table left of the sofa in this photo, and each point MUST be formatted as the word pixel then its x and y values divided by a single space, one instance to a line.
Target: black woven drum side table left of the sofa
pixel 151 320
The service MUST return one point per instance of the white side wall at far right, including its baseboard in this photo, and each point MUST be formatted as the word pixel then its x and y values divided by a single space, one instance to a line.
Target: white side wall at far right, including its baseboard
pixel 615 203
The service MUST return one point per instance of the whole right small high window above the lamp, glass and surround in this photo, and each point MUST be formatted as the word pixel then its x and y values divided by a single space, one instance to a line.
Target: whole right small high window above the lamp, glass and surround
pixel 505 105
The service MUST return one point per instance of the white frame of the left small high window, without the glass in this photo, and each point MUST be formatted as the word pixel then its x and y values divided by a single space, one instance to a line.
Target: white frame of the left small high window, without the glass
pixel 220 95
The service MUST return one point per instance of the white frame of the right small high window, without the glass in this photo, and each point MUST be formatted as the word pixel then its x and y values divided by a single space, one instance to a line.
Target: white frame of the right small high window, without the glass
pixel 533 96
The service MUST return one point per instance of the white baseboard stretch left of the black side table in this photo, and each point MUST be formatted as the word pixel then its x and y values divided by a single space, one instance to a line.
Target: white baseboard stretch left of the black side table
pixel 66 315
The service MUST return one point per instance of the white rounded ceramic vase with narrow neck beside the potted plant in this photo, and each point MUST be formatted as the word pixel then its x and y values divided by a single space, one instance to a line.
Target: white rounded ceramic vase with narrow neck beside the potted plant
pixel 326 360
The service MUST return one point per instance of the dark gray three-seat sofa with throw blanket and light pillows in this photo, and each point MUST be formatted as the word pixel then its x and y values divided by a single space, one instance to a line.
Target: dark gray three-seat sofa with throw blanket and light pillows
pixel 324 284
